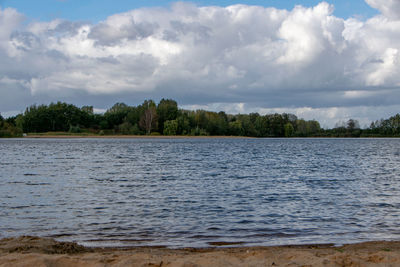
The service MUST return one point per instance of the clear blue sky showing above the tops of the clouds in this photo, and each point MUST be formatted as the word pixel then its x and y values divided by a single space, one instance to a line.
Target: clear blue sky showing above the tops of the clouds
pixel 97 10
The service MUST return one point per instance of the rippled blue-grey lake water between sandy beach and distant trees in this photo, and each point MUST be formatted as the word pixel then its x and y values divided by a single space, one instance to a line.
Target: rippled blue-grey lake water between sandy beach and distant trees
pixel 194 192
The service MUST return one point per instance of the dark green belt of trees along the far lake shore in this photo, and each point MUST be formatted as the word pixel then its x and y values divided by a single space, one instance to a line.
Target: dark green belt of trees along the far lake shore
pixel 165 118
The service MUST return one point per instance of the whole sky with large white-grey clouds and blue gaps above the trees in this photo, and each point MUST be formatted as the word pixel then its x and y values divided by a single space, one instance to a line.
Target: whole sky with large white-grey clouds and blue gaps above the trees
pixel 329 61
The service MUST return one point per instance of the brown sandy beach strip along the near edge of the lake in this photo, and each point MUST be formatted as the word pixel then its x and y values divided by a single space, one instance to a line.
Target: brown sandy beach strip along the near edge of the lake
pixel 34 251
